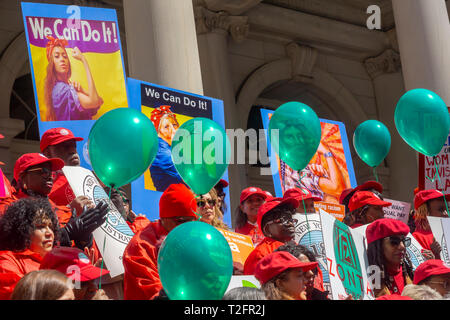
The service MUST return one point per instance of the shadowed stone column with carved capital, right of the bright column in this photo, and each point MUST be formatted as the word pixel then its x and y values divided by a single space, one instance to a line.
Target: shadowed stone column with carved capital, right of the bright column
pixel 214 30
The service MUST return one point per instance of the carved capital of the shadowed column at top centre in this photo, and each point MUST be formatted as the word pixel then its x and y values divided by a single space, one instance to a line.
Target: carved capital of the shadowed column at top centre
pixel 207 21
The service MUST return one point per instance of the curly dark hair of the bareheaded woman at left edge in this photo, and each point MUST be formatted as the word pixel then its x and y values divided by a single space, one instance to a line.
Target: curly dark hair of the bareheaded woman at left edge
pixel 18 222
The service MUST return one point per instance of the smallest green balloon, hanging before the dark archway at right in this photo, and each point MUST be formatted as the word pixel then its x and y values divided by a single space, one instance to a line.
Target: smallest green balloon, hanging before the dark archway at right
pixel 372 142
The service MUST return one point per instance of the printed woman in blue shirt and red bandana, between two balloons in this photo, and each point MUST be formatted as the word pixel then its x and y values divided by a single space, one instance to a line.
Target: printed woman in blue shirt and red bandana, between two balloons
pixel 163 170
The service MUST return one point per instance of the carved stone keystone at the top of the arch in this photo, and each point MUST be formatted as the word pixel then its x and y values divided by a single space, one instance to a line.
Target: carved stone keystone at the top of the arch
pixel 303 61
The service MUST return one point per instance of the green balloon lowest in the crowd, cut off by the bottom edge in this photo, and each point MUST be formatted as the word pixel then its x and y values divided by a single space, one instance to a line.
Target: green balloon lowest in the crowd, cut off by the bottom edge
pixel 195 262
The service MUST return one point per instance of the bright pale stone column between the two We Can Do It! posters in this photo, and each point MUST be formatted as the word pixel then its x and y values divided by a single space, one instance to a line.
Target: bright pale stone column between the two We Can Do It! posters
pixel 162 43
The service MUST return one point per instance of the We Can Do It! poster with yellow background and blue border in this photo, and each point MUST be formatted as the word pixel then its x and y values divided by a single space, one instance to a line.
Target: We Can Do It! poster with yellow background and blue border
pixel 76 66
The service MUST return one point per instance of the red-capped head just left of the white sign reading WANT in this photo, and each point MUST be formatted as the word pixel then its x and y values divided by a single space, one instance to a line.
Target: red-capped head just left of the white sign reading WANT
pixel 365 207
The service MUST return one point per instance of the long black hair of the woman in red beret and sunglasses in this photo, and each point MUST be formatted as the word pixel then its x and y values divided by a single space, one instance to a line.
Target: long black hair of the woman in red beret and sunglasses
pixel 375 256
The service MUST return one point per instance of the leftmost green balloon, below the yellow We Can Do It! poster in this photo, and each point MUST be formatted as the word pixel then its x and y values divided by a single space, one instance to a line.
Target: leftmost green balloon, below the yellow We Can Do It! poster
pixel 122 145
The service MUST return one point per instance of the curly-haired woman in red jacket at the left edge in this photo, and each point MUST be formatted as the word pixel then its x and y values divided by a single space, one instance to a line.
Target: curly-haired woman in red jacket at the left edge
pixel 28 230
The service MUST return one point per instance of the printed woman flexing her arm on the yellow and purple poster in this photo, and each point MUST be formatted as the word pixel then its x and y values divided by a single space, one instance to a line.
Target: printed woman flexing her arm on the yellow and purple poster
pixel 67 100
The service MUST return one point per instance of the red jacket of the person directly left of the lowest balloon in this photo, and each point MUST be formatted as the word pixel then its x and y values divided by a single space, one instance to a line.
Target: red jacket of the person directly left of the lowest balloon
pixel 140 260
